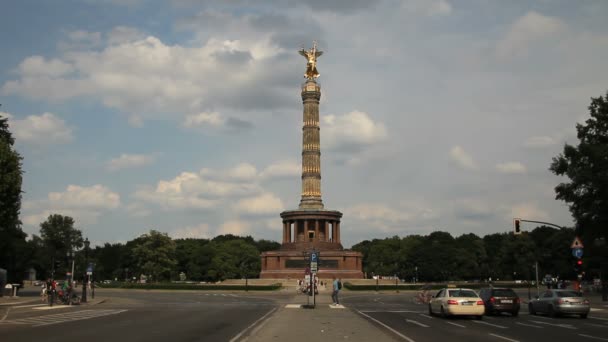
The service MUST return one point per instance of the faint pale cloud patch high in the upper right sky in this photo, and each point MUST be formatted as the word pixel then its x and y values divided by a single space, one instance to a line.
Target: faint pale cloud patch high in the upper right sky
pixel 525 31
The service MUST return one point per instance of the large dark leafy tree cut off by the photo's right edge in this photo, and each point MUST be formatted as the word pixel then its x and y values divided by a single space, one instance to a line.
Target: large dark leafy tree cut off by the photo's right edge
pixel 586 165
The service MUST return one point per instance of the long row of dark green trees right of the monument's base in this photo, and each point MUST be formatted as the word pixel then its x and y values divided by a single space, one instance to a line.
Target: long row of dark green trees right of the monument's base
pixel 440 257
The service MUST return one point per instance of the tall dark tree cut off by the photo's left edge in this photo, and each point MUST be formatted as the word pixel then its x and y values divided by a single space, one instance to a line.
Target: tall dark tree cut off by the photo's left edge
pixel 12 238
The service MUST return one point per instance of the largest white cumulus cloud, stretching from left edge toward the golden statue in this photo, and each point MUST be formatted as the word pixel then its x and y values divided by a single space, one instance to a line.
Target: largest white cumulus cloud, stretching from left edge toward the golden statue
pixel 143 75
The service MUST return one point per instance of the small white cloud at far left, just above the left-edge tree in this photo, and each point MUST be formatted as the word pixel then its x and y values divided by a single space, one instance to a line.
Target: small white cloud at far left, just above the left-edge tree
pixel 40 130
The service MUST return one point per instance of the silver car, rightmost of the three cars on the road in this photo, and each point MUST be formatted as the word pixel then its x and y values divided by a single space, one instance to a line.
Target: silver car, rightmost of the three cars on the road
pixel 560 302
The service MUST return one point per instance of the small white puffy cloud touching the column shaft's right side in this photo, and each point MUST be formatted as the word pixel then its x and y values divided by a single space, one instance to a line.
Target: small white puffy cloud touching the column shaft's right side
pixel 351 131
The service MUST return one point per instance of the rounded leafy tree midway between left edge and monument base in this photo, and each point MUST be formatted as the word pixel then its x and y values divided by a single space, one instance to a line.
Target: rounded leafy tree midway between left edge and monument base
pixel 154 255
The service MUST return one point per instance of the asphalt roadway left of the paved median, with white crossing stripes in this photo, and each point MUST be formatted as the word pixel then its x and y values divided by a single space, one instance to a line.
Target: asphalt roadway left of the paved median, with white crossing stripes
pixel 139 316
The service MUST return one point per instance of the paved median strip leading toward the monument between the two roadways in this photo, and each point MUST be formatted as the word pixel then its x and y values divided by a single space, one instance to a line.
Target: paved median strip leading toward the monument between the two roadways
pixel 324 323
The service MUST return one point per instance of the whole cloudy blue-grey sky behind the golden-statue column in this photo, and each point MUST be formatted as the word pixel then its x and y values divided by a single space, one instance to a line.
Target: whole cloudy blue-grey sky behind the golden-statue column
pixel 185 116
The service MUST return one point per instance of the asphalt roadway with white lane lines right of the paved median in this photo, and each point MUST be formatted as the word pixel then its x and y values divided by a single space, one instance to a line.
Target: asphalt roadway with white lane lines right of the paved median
pixel 411 322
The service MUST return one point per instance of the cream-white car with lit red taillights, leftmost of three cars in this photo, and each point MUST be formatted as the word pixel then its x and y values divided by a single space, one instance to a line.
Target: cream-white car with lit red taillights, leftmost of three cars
pixel 454 301
